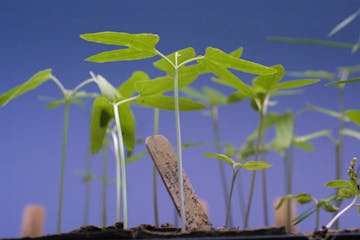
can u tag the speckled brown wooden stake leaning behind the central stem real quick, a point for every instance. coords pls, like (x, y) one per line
(167, 165)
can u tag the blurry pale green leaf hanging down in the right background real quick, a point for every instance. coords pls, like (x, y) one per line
(284, 125)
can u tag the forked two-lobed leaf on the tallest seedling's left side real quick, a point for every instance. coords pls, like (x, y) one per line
(137, 46)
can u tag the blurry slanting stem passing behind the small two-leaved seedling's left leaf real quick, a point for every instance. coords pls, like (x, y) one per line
(215, 121)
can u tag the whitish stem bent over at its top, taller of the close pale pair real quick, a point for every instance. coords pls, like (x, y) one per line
(122, 162)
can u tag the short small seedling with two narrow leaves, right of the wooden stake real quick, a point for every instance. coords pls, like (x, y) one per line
(236, 166)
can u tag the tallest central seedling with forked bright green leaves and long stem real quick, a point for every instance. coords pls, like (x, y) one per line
(181, 67)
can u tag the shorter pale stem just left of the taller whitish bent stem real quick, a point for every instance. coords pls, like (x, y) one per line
(118, 176)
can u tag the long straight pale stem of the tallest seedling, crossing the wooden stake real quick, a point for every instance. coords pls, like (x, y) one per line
(179, 145)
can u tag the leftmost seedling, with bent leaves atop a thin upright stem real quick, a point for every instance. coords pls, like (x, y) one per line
(69, 96)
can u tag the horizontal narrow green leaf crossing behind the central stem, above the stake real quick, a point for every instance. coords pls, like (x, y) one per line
(168, 103)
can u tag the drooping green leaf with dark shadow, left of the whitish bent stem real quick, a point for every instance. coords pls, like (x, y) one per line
(101, 117)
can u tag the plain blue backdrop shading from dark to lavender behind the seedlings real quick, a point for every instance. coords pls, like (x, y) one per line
(39, 34)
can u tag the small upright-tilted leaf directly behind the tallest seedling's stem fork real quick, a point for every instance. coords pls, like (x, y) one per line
(183, 55)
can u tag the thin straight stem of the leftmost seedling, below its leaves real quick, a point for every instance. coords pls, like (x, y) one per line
(63, 160)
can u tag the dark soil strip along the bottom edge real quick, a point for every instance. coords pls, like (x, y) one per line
(168, 231)
